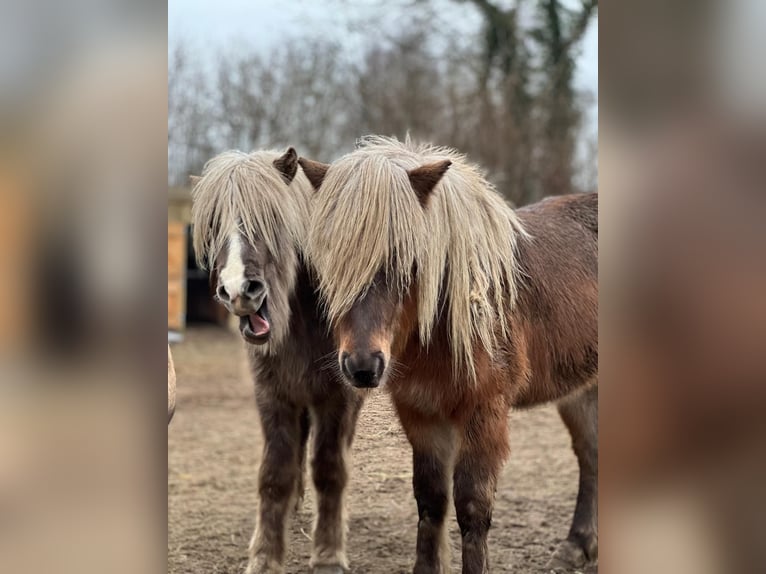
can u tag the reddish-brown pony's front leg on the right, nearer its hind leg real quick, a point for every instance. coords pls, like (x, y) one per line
(485, 446)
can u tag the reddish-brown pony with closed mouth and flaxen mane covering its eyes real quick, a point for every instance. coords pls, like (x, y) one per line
(464, 309)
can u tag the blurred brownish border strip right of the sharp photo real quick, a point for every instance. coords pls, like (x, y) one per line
(682, 277)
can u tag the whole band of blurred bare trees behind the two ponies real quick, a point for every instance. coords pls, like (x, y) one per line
(508, 100)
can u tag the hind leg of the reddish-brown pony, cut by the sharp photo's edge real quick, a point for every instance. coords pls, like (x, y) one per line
(580, 414)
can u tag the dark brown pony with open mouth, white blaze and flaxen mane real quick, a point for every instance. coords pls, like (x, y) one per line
(250, 215)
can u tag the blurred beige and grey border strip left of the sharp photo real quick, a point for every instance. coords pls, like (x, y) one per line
(83, 116)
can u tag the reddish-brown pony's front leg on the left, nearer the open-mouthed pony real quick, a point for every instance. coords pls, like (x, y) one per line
(433, 447)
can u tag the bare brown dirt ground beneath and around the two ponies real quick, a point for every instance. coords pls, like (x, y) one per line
(214, 446)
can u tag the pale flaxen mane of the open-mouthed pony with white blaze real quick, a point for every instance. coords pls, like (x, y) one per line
(246, 190)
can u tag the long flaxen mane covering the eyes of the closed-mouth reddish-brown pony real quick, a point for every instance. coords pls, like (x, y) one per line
(367, 218)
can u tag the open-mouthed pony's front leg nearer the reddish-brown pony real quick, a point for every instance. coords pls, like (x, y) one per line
(334, 425)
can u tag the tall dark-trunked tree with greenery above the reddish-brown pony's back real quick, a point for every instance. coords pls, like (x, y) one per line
(529, 134)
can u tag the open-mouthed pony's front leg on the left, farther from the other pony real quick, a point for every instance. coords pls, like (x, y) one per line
(279, 474)
